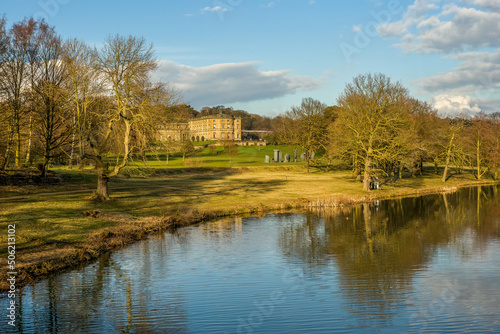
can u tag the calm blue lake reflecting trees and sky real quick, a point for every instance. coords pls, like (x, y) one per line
(423, 264)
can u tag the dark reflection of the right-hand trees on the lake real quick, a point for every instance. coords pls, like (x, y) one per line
(381, 248)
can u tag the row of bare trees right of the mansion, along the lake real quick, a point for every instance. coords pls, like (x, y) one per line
(378, 129)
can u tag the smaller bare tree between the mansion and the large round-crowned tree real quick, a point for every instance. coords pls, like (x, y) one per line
(307, 128)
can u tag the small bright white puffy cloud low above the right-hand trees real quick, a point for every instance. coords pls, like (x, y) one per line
(454, 105)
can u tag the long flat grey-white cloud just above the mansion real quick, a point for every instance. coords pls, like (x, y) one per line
(232, 82)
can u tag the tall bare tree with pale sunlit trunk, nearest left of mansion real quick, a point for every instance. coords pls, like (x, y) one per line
(125, 65)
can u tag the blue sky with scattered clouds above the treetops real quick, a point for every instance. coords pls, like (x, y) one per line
(265, 56)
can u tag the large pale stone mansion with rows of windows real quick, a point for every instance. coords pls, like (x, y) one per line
(214, 127)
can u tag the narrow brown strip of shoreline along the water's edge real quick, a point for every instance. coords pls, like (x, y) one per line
(59, 257)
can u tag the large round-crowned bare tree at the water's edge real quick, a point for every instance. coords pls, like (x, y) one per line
(375, 120)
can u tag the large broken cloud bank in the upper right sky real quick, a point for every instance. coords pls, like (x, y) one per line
(467, 31)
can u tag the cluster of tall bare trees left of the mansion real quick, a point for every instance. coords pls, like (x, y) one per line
(64, 98)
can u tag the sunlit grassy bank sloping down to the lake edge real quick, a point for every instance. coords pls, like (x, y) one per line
(64, 228)
